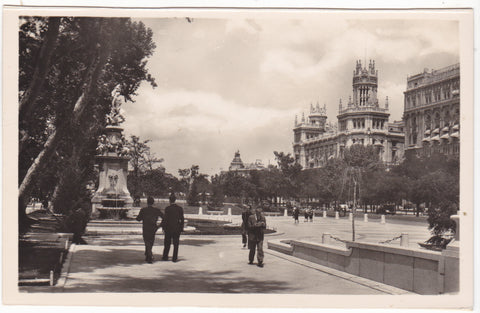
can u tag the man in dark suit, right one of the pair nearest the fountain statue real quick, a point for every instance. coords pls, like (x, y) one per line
(173, 223)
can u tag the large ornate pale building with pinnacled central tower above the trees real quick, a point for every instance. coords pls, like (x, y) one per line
(361, 121)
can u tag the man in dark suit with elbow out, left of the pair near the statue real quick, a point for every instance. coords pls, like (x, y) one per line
(149, 216)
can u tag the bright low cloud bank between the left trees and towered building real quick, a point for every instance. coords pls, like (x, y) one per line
(187, 127)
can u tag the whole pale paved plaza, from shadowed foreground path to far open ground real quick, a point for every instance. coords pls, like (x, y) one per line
(218, 264)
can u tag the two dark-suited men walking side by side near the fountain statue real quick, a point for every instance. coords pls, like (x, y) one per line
(172, 223)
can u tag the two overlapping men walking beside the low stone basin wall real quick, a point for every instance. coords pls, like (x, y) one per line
(254, 224)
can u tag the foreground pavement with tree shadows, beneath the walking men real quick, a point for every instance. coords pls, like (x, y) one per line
(207, 264)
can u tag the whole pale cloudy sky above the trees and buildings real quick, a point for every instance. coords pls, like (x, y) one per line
(228, 84)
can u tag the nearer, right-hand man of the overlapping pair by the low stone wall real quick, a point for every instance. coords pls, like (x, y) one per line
(256, 226)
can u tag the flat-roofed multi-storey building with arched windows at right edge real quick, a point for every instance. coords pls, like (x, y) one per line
(432, 112)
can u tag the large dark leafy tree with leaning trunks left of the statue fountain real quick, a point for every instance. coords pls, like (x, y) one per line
(67, 70)
